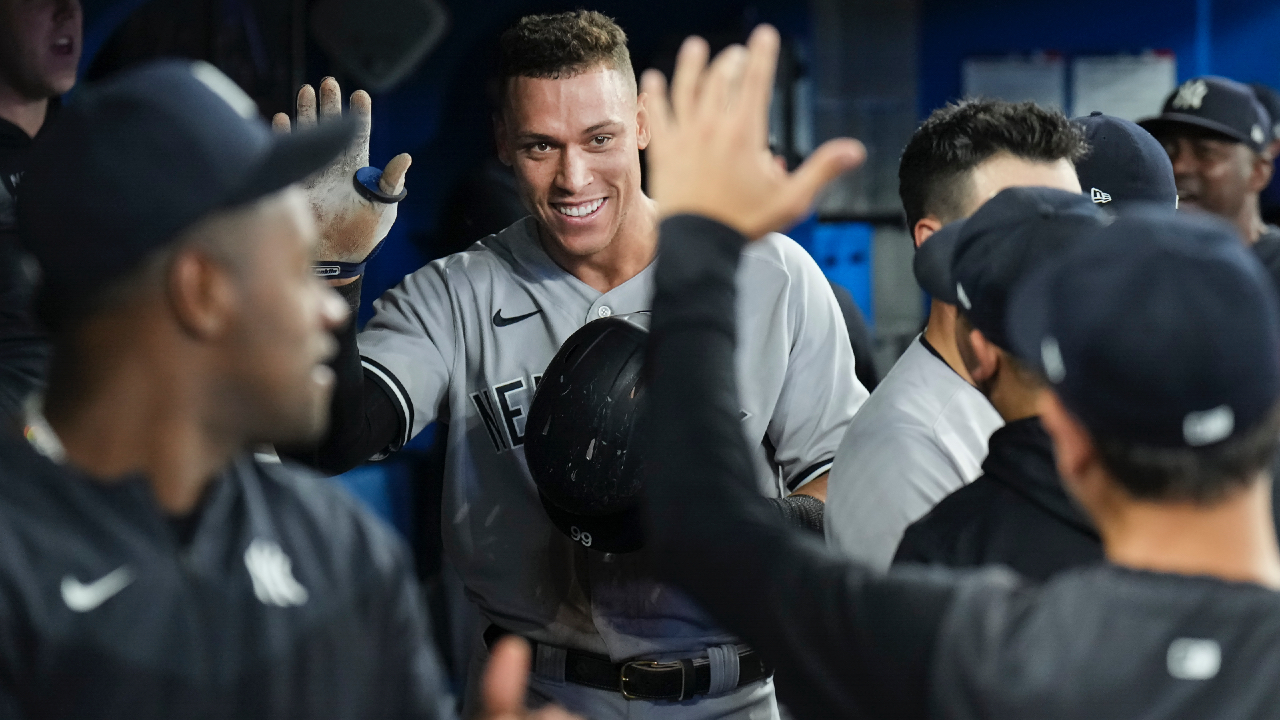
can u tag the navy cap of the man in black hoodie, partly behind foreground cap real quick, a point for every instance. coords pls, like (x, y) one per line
(1013, 233)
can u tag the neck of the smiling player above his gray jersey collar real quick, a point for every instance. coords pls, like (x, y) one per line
(630, 252)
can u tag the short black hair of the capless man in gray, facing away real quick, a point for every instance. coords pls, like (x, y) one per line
(934, 175)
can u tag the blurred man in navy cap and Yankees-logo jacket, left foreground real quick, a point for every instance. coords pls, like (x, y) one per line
(150, 567)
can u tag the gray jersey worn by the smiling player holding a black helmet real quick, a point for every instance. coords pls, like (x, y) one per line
(465, 341)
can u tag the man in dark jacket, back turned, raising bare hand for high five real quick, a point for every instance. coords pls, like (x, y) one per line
(1159, 336)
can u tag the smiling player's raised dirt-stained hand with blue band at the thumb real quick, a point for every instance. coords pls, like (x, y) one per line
(350, 225)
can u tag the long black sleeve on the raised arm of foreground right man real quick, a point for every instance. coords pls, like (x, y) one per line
(838, 636)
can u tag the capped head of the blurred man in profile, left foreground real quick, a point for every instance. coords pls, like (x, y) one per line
(173, 248)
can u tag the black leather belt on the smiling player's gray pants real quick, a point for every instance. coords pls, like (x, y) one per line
(647, 680)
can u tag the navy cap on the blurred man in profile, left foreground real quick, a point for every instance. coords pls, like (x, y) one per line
(138, 160)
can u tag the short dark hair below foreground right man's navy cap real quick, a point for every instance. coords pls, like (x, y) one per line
(1192, 475)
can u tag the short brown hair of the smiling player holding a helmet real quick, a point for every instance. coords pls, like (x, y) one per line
(563, 45)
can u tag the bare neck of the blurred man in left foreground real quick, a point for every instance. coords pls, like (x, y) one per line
(141, 412)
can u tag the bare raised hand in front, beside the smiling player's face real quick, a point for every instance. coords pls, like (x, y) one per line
(710, 151)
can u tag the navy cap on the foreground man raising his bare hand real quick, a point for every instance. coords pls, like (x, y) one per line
(1160, 330)
